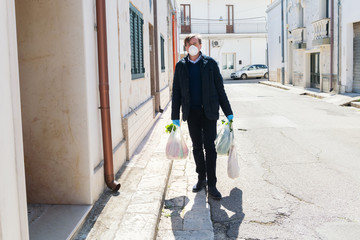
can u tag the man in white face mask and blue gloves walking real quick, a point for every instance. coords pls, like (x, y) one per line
(198, 88)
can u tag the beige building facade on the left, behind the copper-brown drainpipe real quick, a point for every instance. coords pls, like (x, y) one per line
(52, 127)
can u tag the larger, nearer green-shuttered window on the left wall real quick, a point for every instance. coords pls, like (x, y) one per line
(136, 39)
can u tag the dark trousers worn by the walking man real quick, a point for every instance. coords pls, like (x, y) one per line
(203, 133)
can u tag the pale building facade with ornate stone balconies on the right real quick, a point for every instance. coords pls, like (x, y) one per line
(320, 44)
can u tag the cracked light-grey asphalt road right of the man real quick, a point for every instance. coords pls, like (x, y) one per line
(299, 168)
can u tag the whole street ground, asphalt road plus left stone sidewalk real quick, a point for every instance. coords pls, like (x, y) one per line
(299, 176)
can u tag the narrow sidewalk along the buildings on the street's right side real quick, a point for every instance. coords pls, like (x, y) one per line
(347, 99)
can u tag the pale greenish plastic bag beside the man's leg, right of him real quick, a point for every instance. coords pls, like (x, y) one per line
(224, 139)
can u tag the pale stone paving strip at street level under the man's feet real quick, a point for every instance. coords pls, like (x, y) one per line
(185, 215)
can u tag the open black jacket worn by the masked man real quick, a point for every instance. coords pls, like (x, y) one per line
(213, 92)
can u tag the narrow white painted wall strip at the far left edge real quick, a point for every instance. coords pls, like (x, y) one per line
(13, 209)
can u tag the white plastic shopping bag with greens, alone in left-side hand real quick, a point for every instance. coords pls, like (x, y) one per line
(176, 147)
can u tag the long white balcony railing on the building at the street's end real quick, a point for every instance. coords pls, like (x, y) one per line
(223, 27)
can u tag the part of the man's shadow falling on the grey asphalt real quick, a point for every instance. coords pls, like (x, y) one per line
(227, 215)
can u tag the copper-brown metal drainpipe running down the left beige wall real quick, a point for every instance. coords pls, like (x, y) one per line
(104, 96)
